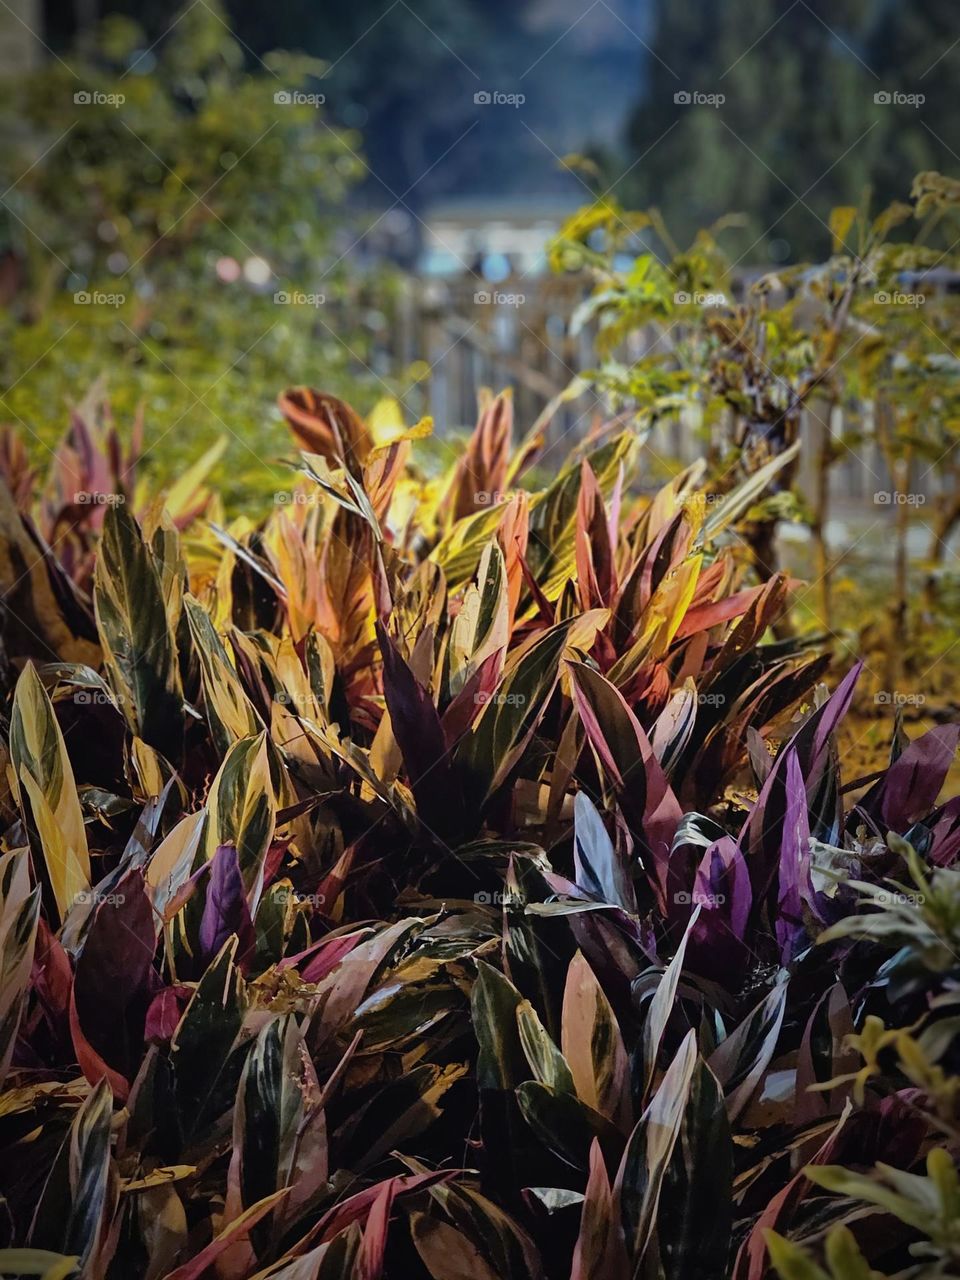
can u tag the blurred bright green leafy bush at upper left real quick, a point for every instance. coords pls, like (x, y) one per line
(158, 200)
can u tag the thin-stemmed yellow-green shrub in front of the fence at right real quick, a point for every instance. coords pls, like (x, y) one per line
(871, 332)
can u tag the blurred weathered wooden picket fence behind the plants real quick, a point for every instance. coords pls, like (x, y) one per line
(465, 335)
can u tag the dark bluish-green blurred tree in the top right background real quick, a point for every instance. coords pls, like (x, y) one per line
(799, 130)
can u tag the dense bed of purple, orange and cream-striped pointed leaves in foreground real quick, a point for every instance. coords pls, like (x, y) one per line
(451, 880)
